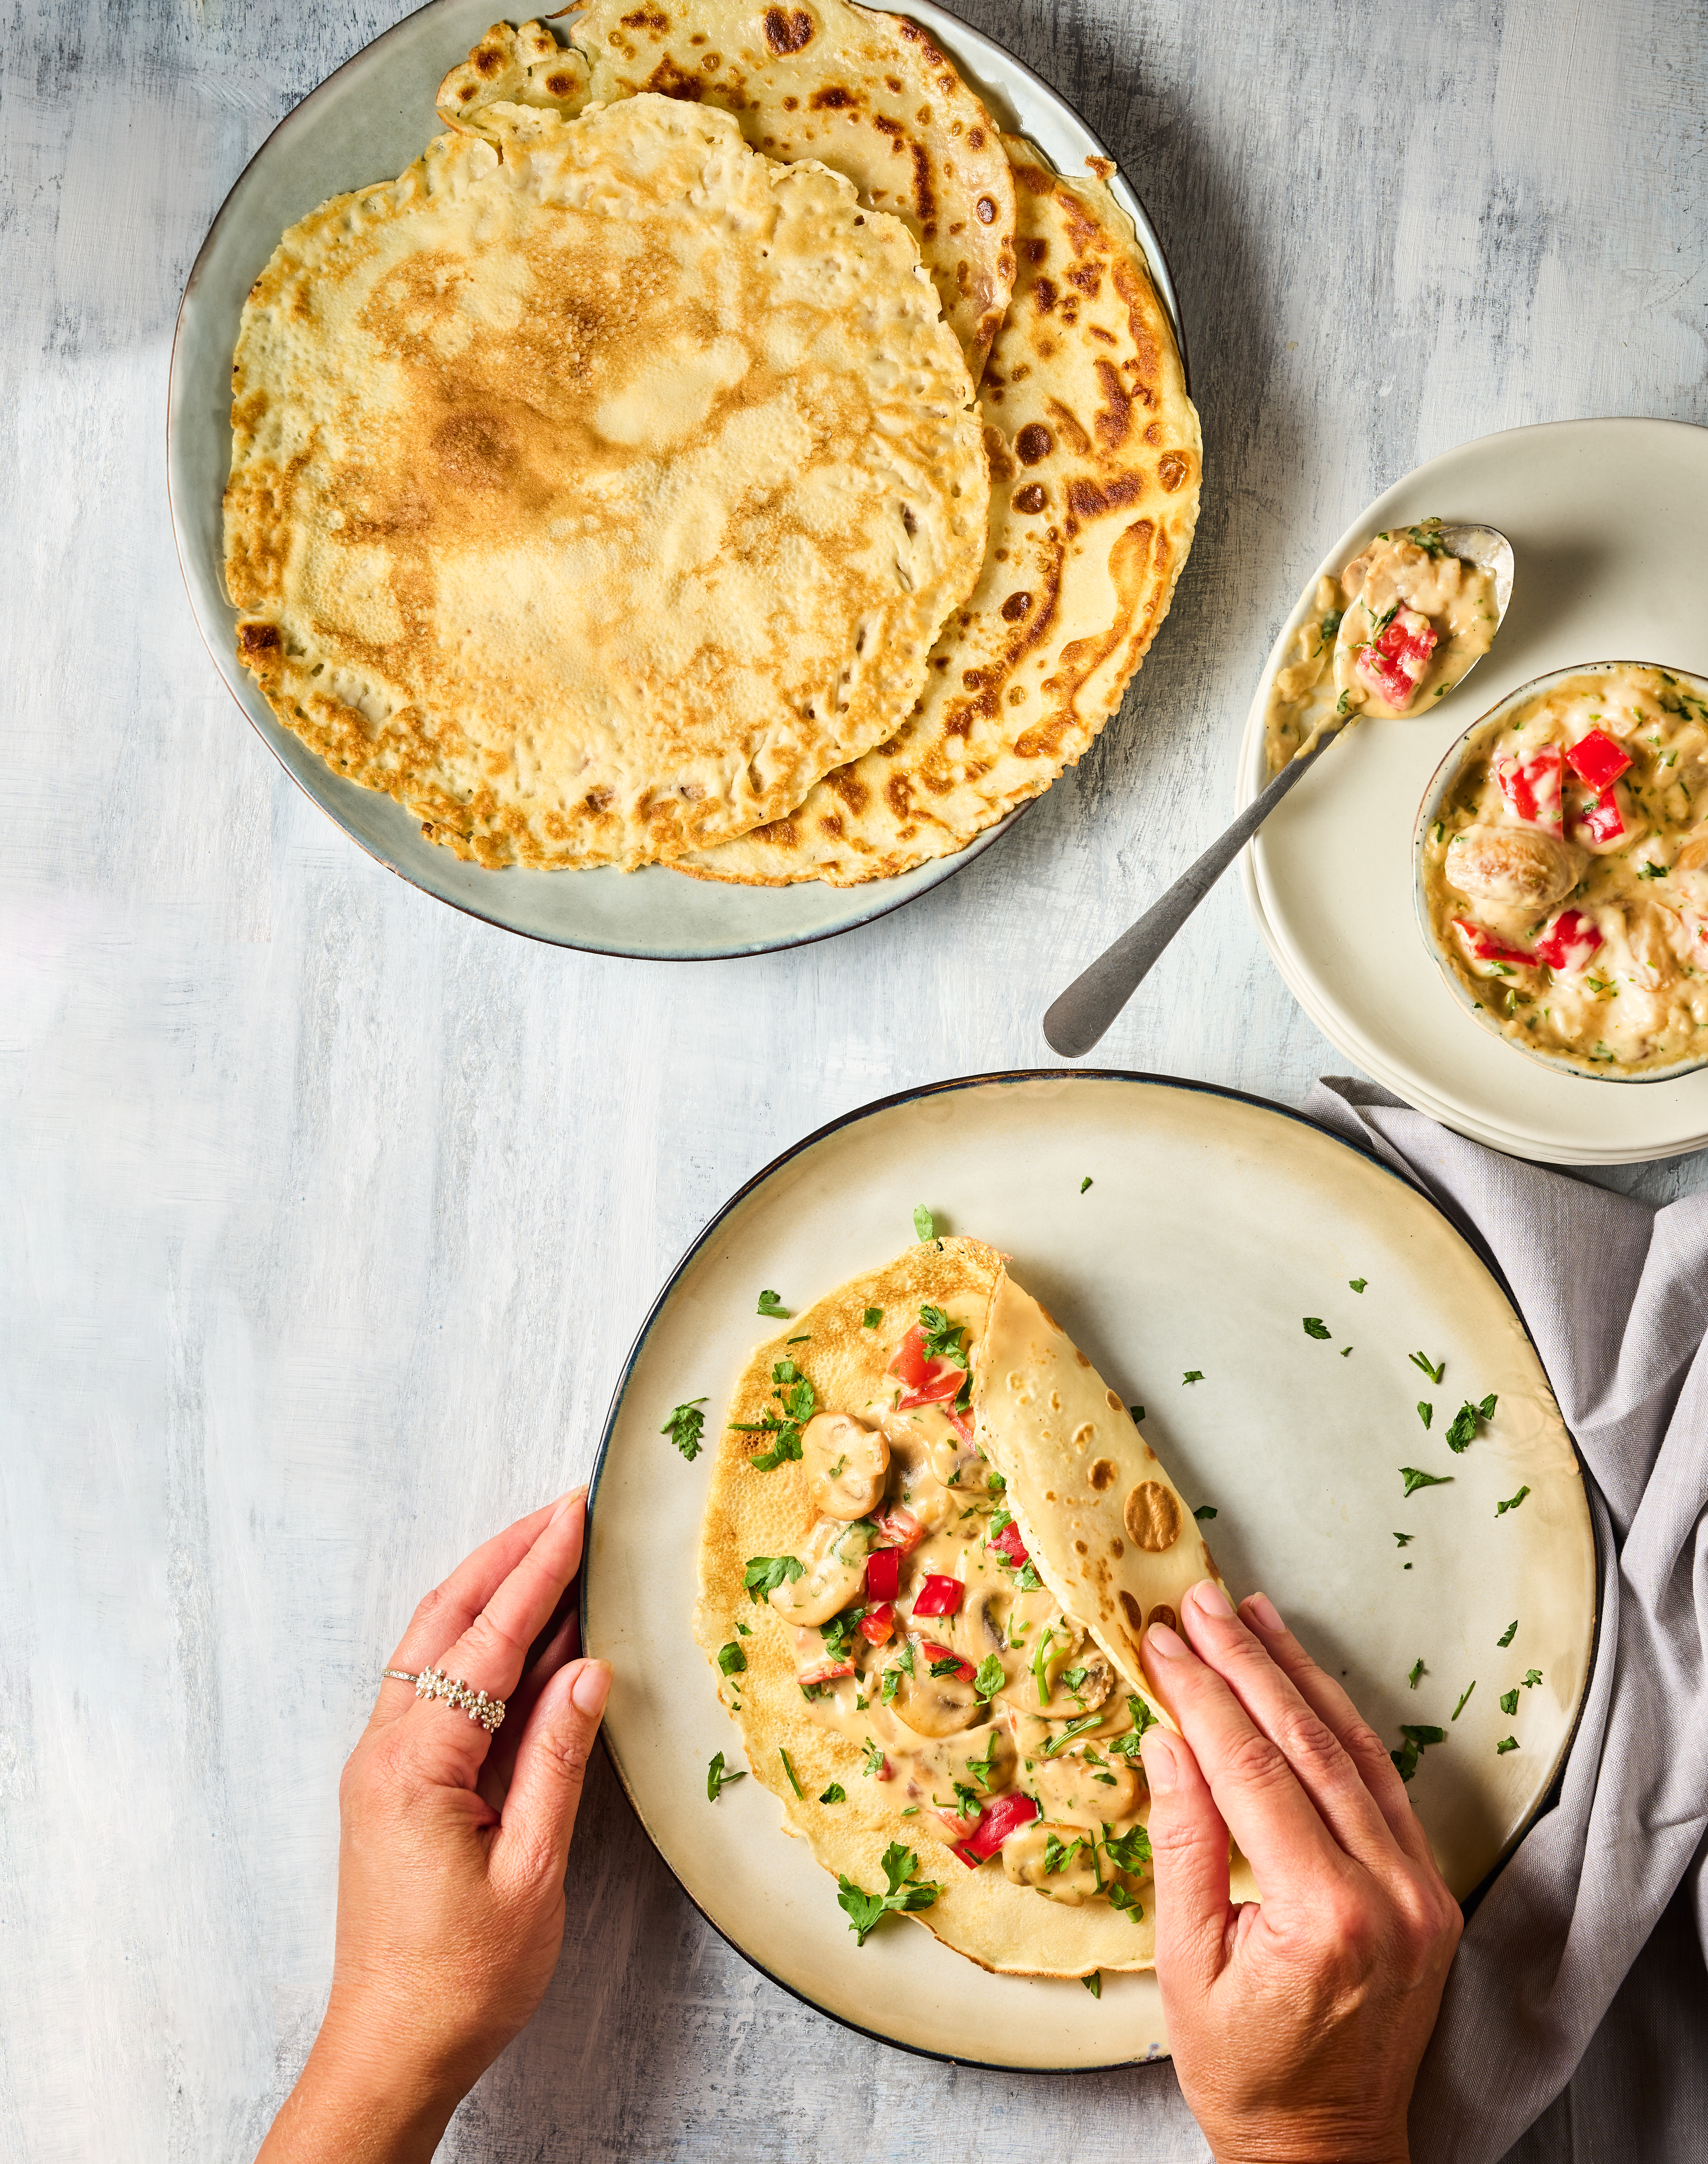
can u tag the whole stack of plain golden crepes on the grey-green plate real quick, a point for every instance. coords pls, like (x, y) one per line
(722, 449)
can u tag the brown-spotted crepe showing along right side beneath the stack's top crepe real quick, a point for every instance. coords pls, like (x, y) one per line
(1096, 462)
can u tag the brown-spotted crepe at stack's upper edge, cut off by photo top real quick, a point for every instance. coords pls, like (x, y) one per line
(869, 94)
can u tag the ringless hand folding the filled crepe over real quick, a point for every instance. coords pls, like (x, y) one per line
(1298, 2022)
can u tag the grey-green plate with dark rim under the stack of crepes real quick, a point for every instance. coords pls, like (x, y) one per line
(371, 120)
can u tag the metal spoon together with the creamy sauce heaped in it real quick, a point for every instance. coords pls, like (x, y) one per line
(1402, 631)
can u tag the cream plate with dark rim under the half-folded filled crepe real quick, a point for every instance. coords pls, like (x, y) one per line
(1213, 1224)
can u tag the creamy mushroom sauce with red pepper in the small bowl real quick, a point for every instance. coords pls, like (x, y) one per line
(1640, 1001)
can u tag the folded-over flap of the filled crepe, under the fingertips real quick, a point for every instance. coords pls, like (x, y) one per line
(1112, 1533)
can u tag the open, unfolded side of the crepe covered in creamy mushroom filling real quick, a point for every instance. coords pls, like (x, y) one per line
(1060, 1726)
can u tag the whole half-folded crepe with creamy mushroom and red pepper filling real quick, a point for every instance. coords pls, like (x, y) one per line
(904, 1661)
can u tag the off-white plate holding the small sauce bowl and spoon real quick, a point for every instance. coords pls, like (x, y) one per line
(1610, 529)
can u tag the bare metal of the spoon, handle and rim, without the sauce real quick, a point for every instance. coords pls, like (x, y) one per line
(1081, 1016)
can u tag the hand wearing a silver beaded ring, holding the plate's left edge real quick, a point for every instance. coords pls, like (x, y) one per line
(454, 1853)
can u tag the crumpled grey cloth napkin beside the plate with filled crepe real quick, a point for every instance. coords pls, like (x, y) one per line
(1616, 1297)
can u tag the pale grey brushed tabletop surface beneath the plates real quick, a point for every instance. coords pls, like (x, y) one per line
(330, 1215)
